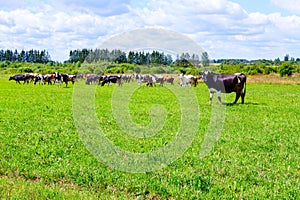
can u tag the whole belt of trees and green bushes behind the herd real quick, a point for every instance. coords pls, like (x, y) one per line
(117, 61)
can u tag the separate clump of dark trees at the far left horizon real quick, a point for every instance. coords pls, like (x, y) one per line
(34, 56)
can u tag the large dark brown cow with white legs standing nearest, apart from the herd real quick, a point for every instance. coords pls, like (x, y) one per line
(225, 83)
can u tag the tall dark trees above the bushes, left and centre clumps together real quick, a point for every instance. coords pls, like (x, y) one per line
(104, 55)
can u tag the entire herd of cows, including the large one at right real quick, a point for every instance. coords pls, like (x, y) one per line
(216, 83)
